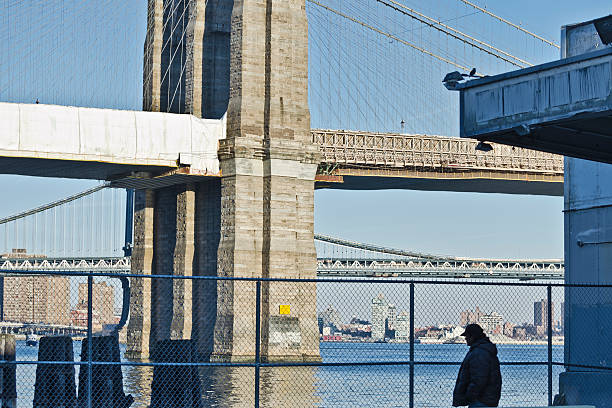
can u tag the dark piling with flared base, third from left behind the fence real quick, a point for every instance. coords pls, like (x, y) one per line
(107, 379)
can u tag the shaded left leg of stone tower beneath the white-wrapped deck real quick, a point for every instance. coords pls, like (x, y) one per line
(164, 244)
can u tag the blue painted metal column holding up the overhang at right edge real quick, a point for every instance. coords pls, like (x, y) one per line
(588, 260)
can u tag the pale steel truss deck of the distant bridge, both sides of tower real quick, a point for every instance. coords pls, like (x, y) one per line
(335, 267)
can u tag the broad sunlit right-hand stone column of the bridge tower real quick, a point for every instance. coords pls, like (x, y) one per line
(268, 163)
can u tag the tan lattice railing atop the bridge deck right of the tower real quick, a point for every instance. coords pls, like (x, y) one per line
(356, 148)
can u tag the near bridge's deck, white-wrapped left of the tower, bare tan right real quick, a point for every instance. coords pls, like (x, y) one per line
(154, 149)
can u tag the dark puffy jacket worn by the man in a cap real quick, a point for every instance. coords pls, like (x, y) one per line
(479, 377)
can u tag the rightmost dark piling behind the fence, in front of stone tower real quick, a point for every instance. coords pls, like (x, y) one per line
(175, 386)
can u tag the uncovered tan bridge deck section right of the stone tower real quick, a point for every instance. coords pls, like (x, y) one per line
(375, 161)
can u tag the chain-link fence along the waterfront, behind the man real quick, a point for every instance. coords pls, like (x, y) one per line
(242, 342)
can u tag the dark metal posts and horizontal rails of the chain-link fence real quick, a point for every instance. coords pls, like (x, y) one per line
(258, 363)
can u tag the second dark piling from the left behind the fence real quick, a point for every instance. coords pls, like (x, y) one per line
(55, 386)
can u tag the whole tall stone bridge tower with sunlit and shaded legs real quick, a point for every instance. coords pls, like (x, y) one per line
(248, 58)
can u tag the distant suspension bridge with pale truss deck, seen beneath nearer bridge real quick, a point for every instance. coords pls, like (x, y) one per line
(54, 236)
